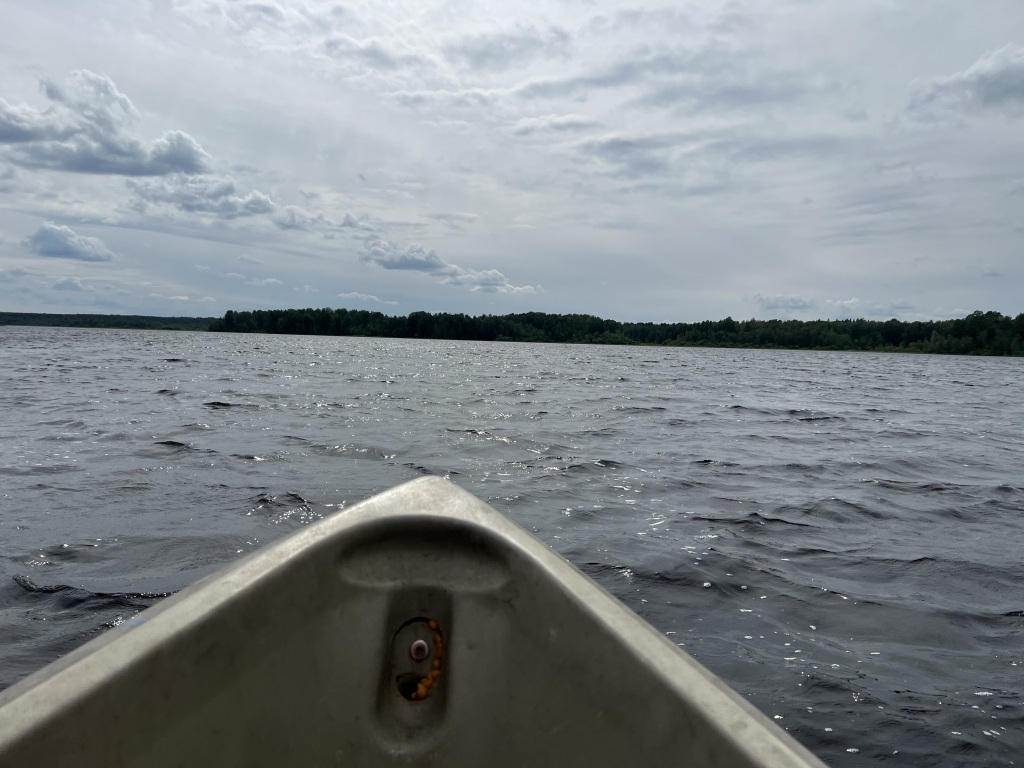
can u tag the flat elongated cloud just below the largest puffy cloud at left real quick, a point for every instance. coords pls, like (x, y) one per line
(211, 195)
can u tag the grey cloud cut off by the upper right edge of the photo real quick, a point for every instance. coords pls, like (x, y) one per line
(994, 82)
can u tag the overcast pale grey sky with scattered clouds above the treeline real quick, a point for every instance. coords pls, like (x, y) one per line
(649, 162)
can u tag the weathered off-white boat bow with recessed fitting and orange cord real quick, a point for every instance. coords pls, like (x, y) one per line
(419, 628)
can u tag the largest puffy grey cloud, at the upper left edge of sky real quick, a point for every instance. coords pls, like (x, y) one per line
(87, 130)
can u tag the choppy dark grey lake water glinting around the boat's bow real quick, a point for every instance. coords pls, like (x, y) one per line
(839, 536)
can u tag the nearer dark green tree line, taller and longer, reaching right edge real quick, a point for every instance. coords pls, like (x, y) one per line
(979, 333)
